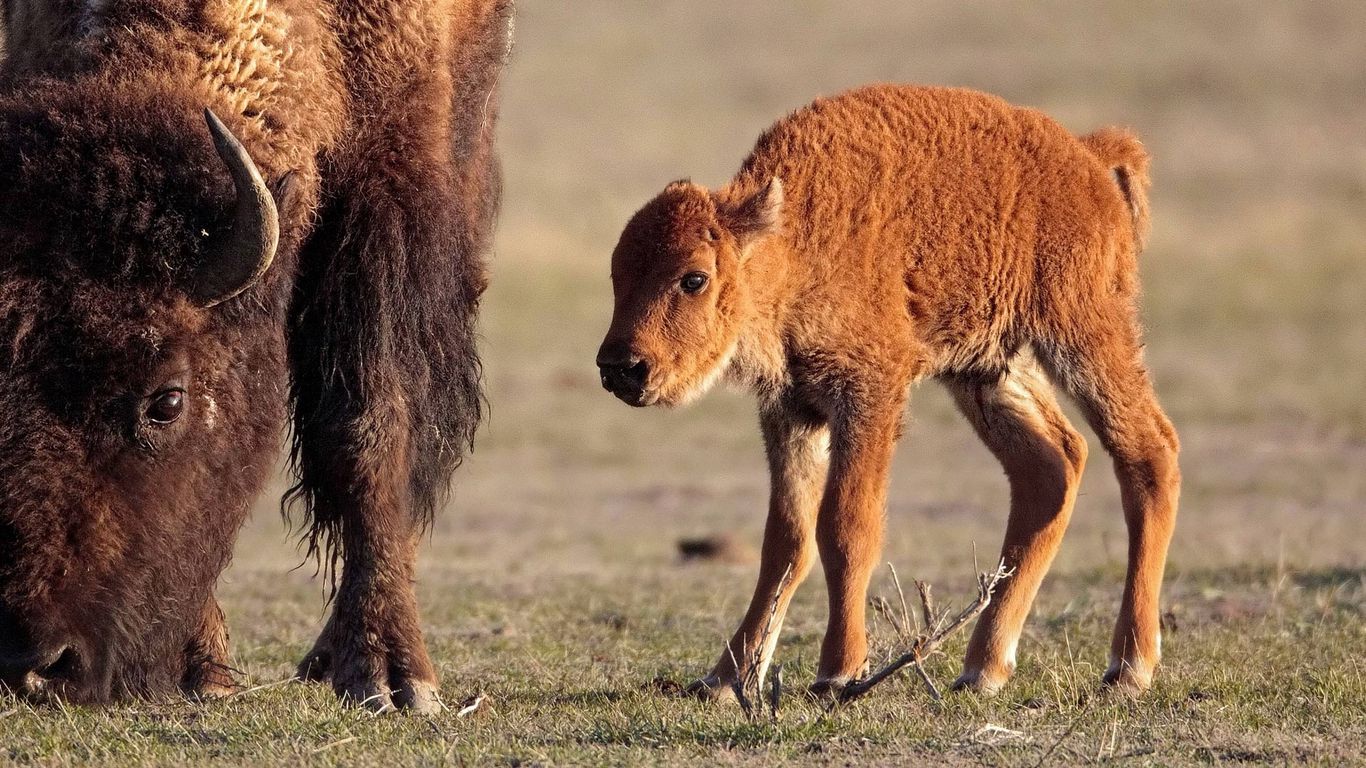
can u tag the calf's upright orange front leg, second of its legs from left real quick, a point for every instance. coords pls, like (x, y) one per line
(849, 530)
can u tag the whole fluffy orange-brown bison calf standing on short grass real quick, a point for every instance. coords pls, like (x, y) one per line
(879, 238)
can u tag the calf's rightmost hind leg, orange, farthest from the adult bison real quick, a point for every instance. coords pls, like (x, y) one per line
(1103, 370)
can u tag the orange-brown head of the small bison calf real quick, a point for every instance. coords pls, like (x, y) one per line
(682, 290)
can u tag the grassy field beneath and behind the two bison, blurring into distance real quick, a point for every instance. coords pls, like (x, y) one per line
(553, 583)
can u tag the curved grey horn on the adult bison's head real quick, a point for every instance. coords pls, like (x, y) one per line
(241, 258)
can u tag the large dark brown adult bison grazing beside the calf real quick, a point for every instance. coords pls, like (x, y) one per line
(212, 212)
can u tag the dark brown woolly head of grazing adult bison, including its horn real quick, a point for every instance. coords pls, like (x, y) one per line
(140, 408)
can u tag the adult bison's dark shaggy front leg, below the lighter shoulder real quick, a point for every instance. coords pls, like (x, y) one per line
(387, 397)
